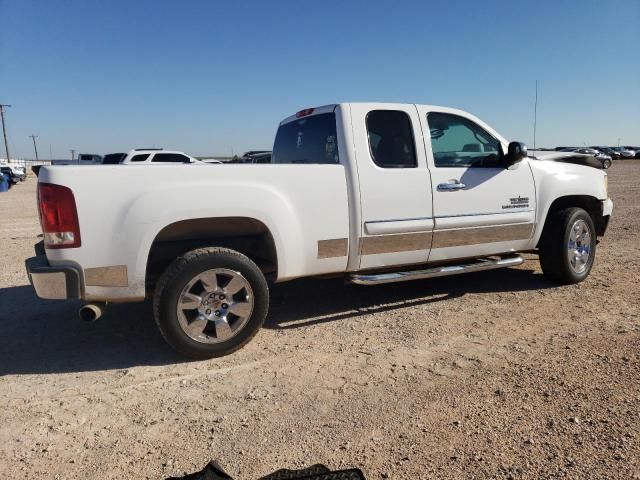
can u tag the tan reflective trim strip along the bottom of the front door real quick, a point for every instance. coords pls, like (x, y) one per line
(474, 236)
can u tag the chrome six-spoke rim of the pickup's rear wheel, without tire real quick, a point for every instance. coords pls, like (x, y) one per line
(215, 305)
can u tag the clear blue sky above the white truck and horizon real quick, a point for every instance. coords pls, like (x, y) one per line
(207, 77)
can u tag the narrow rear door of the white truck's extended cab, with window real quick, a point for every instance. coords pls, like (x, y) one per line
(395, 186)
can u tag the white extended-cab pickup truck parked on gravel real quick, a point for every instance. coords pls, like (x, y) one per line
(378, 193)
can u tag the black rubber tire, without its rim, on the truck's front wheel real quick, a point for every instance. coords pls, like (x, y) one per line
(553, 250)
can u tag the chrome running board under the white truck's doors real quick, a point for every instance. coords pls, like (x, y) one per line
(441, 271)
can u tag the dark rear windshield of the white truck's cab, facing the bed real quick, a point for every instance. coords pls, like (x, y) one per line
(307, 140)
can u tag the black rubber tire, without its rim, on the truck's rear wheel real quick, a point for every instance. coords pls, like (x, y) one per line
(180, 273)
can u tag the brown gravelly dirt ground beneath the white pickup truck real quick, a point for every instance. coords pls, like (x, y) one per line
(490, 375)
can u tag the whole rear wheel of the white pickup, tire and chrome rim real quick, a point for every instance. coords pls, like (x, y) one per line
(210, 302)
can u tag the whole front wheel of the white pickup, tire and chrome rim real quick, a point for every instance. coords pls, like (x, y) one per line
(568, 246)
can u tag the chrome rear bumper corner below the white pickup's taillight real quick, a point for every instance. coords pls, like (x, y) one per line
(52, 283)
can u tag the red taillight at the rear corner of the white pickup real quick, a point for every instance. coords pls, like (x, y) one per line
(58, 216)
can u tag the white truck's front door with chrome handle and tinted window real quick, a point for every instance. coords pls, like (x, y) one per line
(479, 206)
